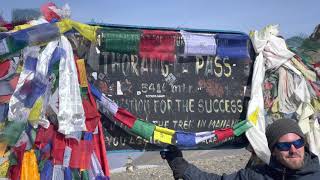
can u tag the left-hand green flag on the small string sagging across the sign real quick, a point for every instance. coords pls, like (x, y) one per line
(143, 128)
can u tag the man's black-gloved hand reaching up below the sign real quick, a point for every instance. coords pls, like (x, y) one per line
(178, 165)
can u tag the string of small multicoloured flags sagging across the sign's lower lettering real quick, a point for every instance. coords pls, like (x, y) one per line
(145, 129)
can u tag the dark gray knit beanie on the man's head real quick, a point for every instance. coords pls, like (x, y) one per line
(280, 128)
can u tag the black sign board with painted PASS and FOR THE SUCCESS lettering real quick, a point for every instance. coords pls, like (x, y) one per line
(193, 93)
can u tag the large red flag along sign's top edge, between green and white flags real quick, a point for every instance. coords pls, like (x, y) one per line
(156, 44)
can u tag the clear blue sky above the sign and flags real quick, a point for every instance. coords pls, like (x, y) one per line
(294, 16)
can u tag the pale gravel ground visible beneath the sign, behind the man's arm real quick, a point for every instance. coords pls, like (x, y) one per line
(218, 162)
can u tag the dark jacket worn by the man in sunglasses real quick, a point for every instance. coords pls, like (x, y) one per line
(310, 171)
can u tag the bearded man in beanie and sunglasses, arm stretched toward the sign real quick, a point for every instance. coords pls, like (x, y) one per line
(291, 158)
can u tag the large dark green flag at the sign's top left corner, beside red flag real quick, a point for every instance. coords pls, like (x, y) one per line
(120, 40)
